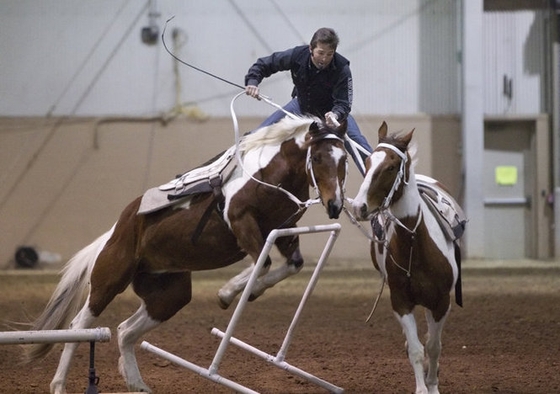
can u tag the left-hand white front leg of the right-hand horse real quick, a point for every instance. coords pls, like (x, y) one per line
(414, 349)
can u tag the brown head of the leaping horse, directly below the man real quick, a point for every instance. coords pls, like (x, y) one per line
(327, 165)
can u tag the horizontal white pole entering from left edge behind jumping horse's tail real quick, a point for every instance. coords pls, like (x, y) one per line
(100, 334)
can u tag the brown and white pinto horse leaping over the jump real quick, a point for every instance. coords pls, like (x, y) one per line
(156, 252)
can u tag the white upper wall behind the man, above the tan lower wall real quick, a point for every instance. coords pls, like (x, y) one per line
(87, 58)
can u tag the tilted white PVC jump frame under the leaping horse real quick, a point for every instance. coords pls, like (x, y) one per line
(227, 337)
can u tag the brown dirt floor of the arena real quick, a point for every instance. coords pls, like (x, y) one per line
(506, 339)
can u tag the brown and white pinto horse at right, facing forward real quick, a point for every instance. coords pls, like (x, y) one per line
(410, 248)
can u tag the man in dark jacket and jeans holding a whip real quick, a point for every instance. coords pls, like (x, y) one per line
(322, 84)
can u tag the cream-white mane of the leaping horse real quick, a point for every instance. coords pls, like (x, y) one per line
(276, 133)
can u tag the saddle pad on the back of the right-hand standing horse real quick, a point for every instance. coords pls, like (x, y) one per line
(447, 211)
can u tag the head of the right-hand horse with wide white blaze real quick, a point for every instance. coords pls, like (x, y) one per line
(388, 170)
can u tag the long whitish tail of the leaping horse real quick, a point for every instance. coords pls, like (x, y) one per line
(69, 295)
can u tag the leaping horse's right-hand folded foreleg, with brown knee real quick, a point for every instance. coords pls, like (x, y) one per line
(289, 248)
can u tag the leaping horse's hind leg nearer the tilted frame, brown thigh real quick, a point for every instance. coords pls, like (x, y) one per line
(163, 296)
